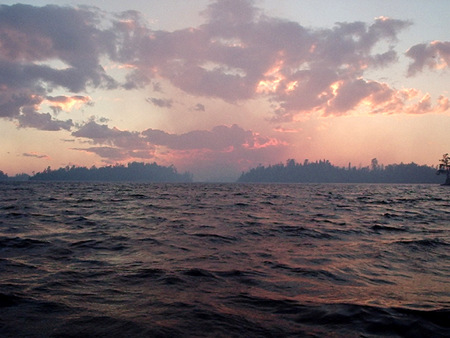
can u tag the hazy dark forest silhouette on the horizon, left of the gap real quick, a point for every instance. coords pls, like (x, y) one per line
(133, 172)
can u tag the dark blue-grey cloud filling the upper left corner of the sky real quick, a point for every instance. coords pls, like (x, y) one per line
(37, 34)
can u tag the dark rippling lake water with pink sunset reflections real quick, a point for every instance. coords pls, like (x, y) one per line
(146, 260)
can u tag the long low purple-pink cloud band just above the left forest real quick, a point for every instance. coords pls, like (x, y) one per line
(231, 147)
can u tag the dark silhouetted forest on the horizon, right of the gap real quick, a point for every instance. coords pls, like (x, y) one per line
(324, 172)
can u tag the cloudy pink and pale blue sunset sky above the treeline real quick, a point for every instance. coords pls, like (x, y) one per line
(218, 87)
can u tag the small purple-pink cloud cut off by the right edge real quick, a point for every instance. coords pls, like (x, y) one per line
(435, 55)
